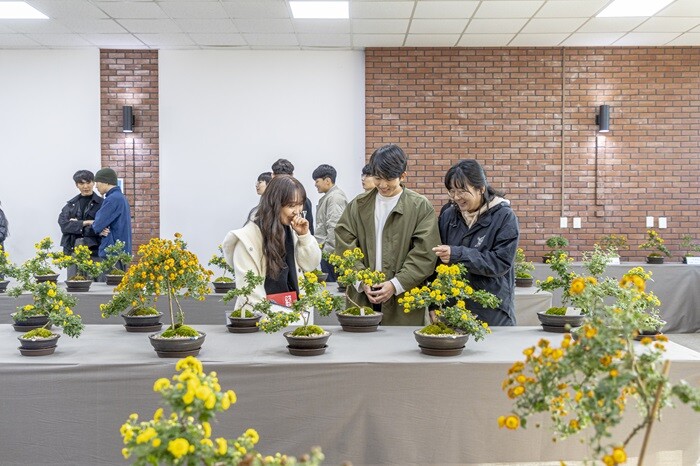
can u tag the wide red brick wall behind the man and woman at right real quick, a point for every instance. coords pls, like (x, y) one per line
(528, 115)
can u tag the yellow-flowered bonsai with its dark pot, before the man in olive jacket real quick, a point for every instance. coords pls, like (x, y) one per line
(355, 317)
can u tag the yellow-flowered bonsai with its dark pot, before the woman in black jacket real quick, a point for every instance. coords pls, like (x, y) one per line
(448, 295)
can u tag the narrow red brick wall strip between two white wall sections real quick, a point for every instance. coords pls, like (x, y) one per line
(130, 77)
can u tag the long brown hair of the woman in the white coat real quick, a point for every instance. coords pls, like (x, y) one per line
(281, 191)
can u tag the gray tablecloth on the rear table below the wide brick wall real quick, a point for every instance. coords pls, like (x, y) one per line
(677, 286)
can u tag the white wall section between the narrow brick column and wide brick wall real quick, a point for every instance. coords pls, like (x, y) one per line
(226, 116)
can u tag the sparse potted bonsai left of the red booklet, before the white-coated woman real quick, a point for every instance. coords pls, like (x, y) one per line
(245, 318)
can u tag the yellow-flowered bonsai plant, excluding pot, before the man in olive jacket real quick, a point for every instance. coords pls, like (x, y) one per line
(349, 271)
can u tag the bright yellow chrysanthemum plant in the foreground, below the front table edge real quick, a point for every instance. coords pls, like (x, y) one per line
(184, 437)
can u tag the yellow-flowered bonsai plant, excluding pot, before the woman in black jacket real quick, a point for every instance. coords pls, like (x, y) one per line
(449, 294)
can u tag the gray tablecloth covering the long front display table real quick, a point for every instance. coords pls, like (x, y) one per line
(371, 399)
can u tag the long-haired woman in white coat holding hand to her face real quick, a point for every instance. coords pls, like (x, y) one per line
(277, 245)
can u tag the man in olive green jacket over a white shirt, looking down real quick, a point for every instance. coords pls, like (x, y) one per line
(408, 231)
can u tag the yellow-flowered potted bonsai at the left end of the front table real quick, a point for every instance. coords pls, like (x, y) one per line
(51, 306)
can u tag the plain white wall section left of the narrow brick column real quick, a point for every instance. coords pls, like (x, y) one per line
(49, 129)
